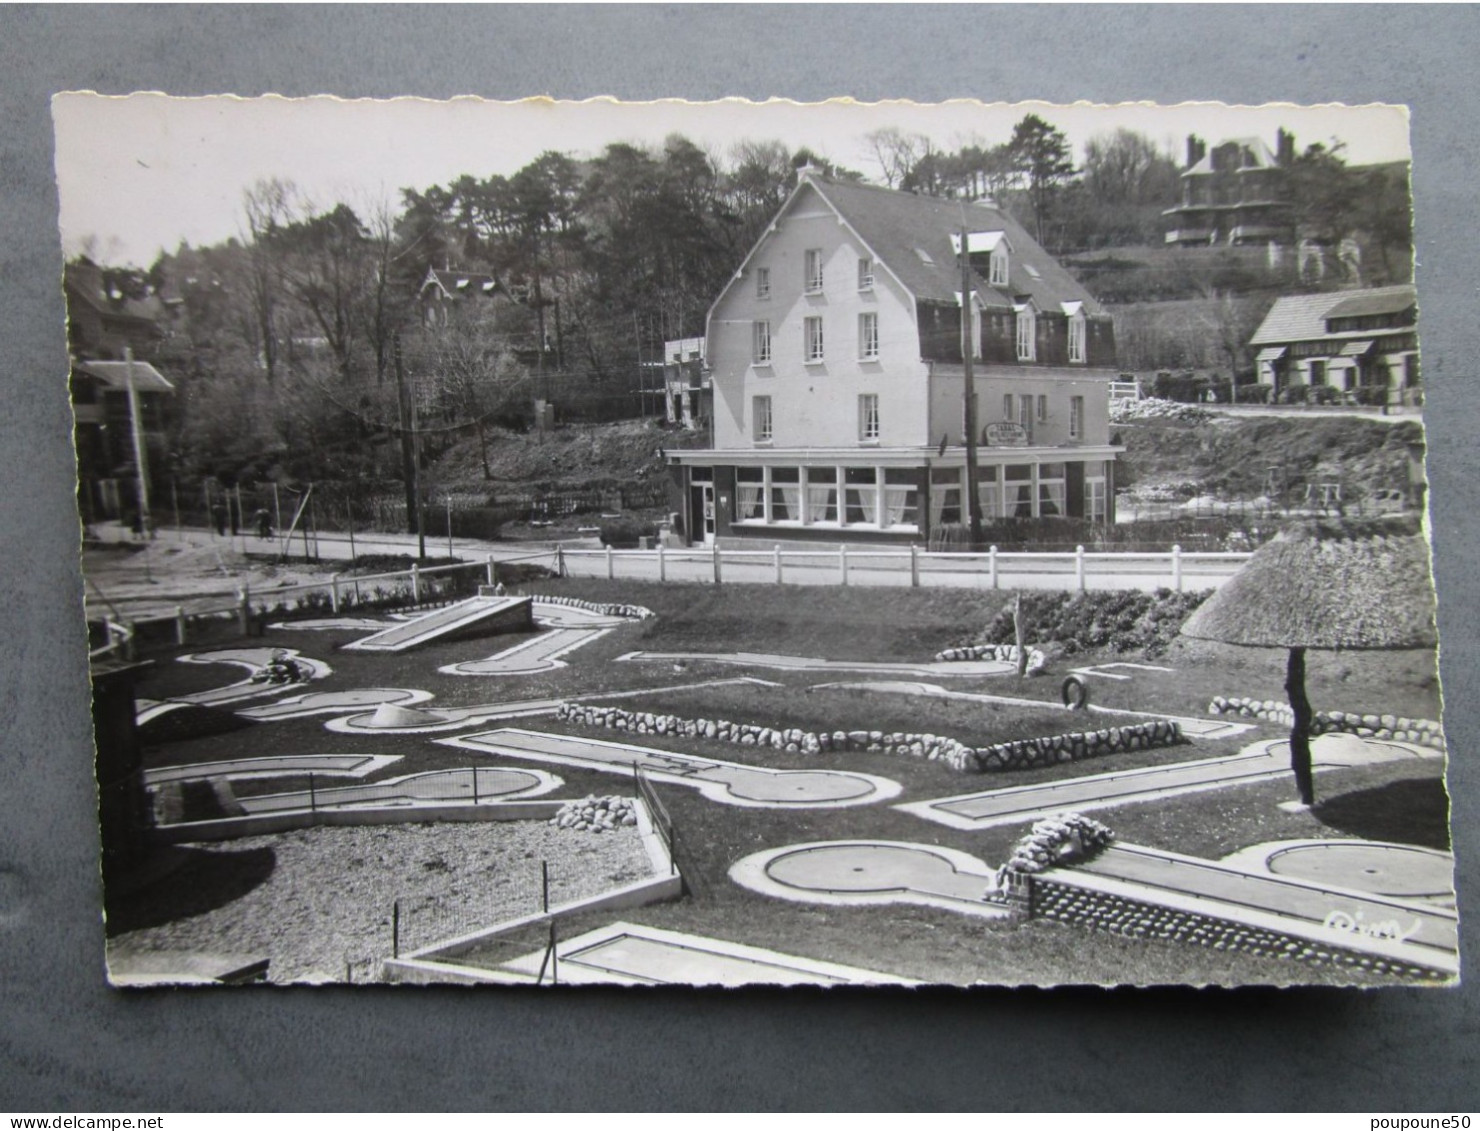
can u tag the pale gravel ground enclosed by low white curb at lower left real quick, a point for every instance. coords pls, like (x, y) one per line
(329, 898)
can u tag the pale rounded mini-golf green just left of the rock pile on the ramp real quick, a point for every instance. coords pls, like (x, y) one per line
(871, 874)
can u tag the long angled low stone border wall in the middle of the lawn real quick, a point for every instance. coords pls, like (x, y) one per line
(1020, 754)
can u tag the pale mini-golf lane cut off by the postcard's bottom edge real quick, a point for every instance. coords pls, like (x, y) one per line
(633, 956)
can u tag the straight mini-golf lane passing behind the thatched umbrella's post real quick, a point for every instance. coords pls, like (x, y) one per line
(1260, 763)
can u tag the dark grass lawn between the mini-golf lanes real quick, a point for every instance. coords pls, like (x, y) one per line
(1401, 802)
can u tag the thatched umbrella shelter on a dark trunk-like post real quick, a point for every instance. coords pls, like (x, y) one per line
(1325, 585)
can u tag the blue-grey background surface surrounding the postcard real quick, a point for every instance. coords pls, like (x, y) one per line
(70, 1044)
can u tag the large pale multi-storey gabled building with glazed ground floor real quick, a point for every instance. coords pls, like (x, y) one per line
(838, 381)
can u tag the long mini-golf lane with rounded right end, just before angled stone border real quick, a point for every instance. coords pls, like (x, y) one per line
(729, 784)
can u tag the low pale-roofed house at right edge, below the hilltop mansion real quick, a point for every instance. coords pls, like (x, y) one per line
(1352, 341)
